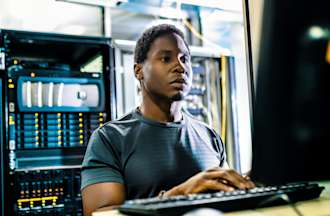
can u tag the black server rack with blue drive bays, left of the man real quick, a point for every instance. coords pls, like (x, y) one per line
(55, 90)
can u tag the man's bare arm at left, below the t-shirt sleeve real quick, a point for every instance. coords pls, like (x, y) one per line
(100, 195)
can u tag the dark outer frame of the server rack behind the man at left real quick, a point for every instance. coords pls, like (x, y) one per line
(110, 94)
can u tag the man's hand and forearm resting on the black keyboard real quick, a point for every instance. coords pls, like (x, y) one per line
(217, 179)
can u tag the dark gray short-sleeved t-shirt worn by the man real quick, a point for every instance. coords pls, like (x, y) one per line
(148, 156)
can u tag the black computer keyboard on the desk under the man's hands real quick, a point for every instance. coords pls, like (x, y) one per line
(224, 201)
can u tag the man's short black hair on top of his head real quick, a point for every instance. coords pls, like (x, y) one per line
(148, 36)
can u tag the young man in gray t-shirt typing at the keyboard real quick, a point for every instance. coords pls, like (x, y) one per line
(157, 148)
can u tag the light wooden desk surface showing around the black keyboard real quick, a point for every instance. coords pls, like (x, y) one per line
(315, 207)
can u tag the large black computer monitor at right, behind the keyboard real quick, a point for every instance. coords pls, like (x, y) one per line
(291, 119)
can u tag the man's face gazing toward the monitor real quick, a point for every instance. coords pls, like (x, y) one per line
(167, 72)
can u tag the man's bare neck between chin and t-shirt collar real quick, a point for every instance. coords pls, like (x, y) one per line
(162, 112)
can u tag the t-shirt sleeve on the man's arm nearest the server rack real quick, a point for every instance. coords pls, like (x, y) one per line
(101, 161)
